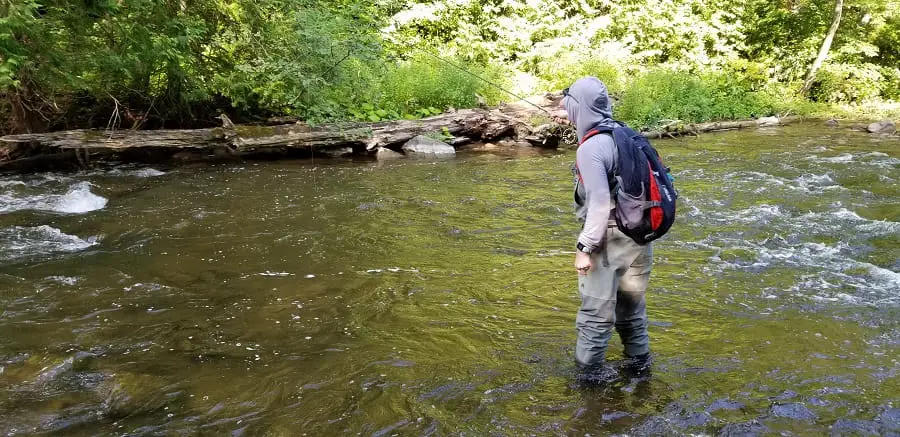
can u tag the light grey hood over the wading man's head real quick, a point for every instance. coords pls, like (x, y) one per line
(588, 105)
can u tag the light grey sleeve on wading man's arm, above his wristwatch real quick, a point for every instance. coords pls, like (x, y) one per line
(594, 158)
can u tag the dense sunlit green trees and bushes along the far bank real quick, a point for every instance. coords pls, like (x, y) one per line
(168, 63)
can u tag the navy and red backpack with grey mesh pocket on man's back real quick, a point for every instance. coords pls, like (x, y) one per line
(643, 187)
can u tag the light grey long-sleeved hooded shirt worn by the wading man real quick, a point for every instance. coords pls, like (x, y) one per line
(588, 107)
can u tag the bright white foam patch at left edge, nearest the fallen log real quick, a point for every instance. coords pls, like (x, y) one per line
(78, 200)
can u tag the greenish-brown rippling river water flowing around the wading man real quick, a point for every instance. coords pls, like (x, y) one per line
(419, 298)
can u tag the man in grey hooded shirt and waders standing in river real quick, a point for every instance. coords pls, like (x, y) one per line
(613, 269)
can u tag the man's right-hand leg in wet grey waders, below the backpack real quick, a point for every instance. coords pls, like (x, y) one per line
(631, 310)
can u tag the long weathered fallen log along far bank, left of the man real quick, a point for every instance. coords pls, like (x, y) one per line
(246, 140)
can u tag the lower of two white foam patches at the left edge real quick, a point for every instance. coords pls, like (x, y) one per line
(22, 242)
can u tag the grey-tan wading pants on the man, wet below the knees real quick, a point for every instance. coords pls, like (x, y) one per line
(612, 295)
